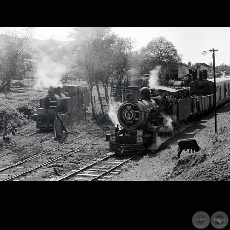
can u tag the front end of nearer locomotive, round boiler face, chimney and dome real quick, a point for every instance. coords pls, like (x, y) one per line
(139, 120)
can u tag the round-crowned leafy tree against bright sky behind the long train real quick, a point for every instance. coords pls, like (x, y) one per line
(159, 52)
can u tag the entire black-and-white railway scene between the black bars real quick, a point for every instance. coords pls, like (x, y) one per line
(114, 104)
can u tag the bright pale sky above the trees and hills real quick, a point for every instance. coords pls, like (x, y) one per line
(190, 42)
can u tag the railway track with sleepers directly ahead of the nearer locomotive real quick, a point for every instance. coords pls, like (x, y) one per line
(98, 170)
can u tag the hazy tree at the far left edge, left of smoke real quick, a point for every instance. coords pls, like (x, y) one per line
(12, 58)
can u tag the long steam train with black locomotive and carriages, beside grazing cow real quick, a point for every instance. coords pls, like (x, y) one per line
(151, 116)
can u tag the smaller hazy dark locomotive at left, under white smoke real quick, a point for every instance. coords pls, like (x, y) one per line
(61, 105)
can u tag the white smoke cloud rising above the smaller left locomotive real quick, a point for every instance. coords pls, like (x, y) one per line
(48, 73)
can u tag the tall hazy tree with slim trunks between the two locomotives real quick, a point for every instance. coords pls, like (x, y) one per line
(101, 55)
